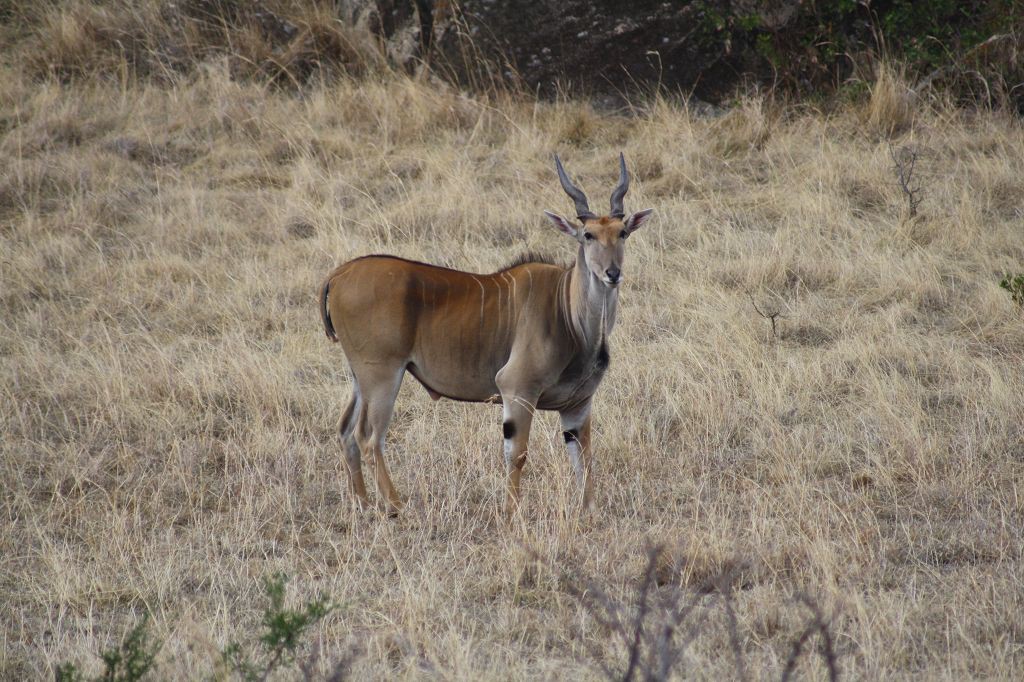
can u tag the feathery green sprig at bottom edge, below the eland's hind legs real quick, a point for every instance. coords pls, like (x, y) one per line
(283, 632)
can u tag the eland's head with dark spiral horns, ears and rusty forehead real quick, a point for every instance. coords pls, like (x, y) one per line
(603, 239)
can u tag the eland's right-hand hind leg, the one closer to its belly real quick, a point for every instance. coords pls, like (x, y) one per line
(378, 391)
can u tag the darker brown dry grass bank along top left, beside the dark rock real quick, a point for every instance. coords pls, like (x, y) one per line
(286, 42)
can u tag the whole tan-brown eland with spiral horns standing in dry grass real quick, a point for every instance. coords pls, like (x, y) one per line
(533, 336)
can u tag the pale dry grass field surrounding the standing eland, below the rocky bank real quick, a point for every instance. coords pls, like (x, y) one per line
(169, 399)
